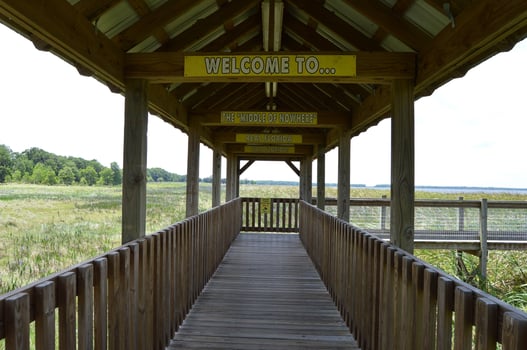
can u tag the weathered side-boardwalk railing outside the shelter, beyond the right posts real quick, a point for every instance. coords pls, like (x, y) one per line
(449, 224)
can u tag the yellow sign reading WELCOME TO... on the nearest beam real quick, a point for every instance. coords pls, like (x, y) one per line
(268, 65)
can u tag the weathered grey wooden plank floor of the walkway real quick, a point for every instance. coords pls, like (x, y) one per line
(266, 294)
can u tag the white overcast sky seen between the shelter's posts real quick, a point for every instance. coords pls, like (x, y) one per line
(470, 132)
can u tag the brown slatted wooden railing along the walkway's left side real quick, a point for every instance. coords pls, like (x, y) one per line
(134, 297)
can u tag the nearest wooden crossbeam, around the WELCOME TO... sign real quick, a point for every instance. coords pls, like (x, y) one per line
(372, 67)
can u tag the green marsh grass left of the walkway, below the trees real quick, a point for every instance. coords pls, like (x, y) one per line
(44, 229)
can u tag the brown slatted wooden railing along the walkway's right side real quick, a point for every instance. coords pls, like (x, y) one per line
(392, 300)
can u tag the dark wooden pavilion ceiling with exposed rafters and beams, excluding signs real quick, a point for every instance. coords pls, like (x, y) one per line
(428, 41)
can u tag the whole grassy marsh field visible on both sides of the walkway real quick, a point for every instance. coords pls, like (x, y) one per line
(44, 229)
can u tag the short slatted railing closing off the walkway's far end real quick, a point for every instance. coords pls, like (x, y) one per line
(270, 214)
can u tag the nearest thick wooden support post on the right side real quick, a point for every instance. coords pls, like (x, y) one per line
(402, 186)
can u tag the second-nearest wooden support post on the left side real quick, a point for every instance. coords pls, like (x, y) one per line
(193, 169)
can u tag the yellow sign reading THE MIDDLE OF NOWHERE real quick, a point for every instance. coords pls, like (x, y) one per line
(269, 118)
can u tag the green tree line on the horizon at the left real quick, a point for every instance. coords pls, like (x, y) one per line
(37, 166)
